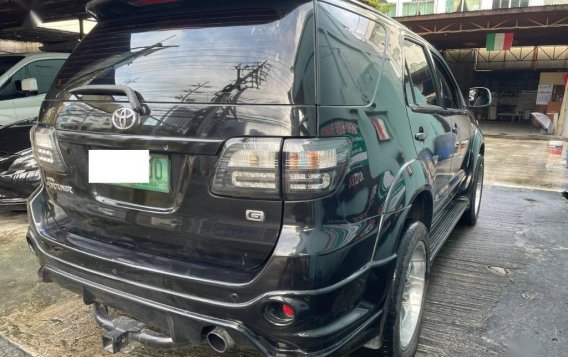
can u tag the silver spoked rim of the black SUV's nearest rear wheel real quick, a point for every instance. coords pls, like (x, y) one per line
(412, 296)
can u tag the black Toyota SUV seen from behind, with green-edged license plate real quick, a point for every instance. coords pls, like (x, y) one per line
(307, 159)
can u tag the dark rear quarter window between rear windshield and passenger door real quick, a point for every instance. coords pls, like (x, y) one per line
(351, 54)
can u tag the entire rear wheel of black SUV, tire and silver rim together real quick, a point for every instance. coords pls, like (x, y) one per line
(407, 296)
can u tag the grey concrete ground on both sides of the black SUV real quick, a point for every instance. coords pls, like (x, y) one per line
(495, 289)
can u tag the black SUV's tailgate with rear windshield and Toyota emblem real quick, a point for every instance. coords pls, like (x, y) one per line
(203, 76)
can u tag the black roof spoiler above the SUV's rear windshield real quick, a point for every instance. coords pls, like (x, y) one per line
(110, 9)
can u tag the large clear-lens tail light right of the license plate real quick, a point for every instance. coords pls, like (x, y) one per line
(251, 167)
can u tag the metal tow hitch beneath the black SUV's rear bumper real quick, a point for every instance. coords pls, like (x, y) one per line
(121, 330)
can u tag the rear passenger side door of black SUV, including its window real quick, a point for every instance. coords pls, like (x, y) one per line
(431, 124)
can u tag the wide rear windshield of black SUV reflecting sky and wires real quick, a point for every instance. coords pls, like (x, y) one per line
(237, 56)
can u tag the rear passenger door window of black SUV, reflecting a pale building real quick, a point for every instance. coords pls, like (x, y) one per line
(421, 81)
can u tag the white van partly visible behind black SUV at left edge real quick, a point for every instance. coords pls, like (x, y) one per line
(24, 80)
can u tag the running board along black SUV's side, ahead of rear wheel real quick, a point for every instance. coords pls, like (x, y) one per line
(444, 225)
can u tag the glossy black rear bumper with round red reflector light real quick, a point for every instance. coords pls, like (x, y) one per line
(331, 321)
